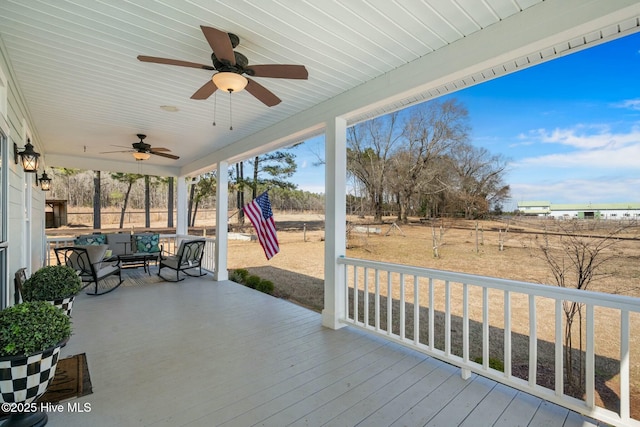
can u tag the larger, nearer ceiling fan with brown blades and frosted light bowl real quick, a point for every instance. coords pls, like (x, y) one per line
(231, 65)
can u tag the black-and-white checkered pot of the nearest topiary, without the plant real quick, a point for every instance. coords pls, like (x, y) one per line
(23, 379)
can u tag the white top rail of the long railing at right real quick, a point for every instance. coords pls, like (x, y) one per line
(554, 292)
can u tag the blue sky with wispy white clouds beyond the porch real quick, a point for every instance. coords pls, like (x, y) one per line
(569, 127)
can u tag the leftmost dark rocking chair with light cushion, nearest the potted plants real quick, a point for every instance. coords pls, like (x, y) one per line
(91, 268)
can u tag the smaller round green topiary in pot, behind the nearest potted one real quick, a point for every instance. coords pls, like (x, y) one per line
(58, 284)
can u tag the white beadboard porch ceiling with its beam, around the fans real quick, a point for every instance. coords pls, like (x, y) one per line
(85, 91)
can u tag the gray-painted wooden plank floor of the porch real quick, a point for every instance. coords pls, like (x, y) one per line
(202, 353)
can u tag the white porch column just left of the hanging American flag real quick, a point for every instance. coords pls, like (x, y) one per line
(222, 238)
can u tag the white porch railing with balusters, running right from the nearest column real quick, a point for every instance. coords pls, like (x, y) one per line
(460, 318)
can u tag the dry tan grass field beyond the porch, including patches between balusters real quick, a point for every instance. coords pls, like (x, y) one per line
(298, 269)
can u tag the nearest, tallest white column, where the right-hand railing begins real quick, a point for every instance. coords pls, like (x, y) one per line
(335, 222)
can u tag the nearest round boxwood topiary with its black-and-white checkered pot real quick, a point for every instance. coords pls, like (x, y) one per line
(31, 335)
